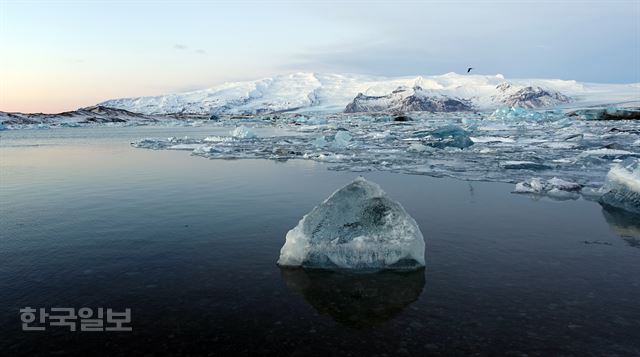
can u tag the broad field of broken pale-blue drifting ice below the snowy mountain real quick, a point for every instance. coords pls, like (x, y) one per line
(432, 144)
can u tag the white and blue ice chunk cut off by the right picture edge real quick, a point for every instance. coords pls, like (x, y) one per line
(622, 186)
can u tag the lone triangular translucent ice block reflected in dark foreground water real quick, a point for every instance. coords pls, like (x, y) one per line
(357, 227)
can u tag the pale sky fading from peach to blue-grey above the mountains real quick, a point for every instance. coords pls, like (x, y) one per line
(62, 55)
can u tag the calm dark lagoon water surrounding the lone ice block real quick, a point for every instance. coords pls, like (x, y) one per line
(190, 246)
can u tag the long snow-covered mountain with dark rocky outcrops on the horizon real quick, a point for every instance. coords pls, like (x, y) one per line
(353, 93)
